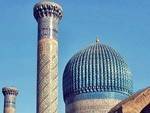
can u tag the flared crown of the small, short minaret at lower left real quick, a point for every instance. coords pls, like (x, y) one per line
(10, 91)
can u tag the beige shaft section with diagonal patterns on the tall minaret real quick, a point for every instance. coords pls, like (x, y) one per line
(47, 76)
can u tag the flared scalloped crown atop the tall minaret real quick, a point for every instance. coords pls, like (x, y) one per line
(46, 8)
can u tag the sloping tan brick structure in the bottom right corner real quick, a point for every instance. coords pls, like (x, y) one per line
(134, 104)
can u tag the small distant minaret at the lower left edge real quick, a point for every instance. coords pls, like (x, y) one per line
(10, 94)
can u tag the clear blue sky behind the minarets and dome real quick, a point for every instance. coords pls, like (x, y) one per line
(121, 24)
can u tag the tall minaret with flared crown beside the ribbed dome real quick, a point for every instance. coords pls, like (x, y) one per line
(48, 14)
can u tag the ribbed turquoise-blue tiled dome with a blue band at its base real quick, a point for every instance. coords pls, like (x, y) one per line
(96, 72)
